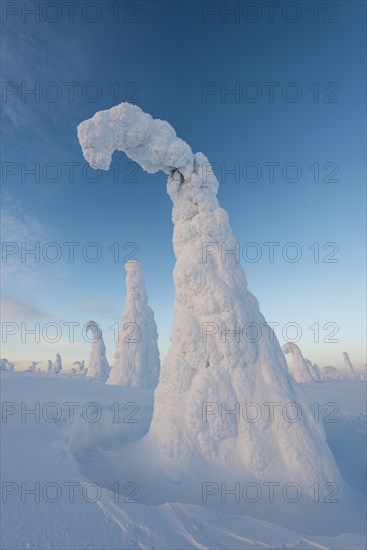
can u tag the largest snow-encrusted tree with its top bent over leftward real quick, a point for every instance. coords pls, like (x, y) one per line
(218, 370)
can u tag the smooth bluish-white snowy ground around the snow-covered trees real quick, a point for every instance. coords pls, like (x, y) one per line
(99, 456)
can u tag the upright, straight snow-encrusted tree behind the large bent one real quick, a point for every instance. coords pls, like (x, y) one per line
(137, 360)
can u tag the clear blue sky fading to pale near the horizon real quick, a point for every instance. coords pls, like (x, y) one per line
(179, 61)
